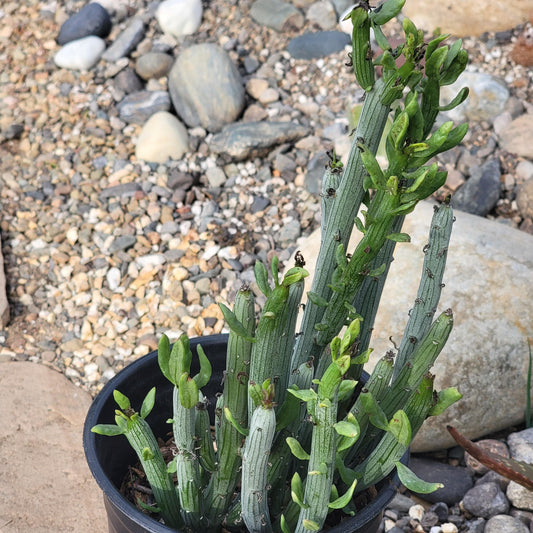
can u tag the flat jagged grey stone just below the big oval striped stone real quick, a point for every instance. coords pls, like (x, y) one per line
(243, 140)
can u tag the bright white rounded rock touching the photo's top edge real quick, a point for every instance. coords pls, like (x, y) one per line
(179, 17)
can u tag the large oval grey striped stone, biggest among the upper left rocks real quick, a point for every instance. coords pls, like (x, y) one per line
(199, 101)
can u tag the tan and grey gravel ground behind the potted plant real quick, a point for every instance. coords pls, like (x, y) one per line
(102, 252)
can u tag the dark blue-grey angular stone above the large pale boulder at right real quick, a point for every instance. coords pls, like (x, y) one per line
(481, 191)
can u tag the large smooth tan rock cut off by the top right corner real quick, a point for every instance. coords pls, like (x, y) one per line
(470, 19)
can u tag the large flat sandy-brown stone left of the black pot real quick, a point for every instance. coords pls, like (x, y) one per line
(41, 424)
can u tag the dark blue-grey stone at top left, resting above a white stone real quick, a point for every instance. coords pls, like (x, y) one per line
(91, 19)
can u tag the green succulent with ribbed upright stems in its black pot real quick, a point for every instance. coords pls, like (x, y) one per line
(297, 432)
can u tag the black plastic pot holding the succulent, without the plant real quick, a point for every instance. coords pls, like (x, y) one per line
(109, 457)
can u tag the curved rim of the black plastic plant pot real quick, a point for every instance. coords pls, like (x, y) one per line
(123, 505)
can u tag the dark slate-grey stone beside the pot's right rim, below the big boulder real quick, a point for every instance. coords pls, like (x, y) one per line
(456, 480)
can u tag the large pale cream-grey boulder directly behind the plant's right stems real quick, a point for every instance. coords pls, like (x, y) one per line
(489, 269)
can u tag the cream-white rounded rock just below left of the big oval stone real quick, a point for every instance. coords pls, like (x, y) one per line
(163, 137)
